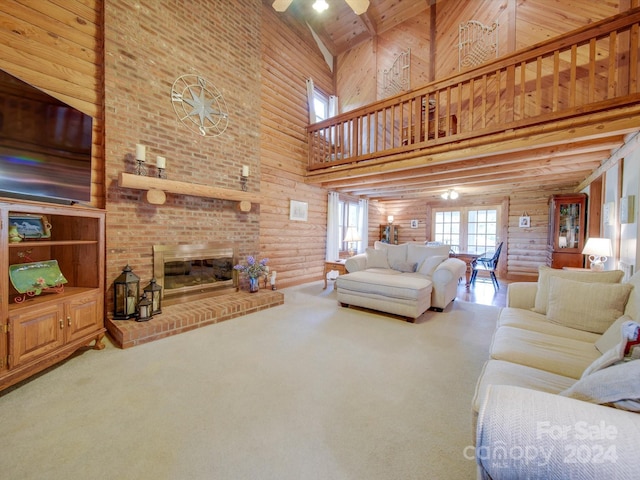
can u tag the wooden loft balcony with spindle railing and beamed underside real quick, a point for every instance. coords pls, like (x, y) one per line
(579, 93)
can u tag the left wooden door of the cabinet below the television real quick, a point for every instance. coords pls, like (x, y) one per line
(35, 332)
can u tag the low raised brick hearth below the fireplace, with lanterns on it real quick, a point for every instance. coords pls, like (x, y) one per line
(188, 316)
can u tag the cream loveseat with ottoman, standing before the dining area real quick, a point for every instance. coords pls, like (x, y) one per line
(404, 280)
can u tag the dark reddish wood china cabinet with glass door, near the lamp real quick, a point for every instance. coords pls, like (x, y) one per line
(567, 215)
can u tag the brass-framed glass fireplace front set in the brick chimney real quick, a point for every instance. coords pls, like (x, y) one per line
(185, 270)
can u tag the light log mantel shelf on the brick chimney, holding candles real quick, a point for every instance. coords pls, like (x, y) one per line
(157, 187)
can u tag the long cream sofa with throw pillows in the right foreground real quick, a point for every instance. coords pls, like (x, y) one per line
(559, 396)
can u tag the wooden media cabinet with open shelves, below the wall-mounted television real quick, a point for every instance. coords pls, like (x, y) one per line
(38, 331)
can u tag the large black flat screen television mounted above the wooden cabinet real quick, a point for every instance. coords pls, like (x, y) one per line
(45, 145)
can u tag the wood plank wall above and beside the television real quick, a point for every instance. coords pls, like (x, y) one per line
(57, 47)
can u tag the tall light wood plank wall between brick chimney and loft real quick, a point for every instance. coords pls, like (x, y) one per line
(296, 249)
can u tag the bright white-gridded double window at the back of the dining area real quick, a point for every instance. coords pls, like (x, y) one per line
(467, 229)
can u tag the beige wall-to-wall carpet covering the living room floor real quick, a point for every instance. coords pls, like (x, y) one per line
(307, 390)
